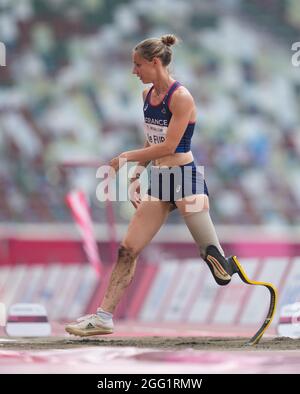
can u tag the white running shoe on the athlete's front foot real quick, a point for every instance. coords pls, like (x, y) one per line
(90, 325)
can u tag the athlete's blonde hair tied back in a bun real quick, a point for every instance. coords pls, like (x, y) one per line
(157, 47)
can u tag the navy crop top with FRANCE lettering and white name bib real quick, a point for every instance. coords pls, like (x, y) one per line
(157, 119)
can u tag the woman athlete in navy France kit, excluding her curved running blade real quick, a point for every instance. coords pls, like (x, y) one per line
(176, 182)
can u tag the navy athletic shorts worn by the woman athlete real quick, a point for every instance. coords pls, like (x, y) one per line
(174, 183)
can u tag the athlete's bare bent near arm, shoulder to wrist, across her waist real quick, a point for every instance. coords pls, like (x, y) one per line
(181, 107)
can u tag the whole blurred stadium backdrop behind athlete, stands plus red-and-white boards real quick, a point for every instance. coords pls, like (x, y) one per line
(67, 94)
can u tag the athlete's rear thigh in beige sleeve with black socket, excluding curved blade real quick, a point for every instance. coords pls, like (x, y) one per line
(195, 212)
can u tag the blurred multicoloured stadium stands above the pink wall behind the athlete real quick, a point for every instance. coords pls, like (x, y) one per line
(67, 93)
